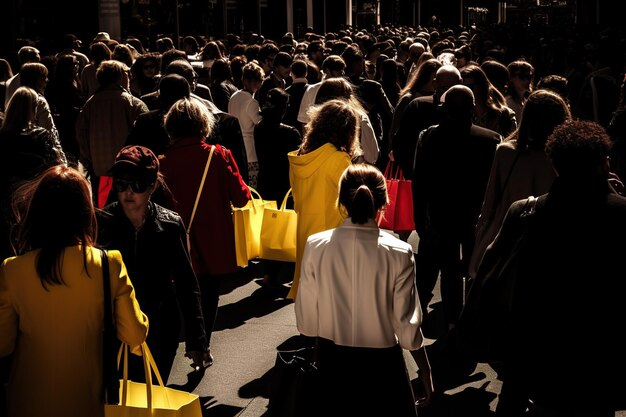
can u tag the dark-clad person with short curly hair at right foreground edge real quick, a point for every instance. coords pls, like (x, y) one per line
(571, 278)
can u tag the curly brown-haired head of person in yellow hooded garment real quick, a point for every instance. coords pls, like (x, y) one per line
(336, 122)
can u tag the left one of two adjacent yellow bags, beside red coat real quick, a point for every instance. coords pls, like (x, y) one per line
(247, 221)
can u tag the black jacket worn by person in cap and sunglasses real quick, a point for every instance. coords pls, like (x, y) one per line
(158, 265)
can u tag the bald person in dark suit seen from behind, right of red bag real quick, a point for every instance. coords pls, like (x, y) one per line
(458, 153)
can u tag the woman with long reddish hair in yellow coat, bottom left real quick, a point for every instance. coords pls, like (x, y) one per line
(51, 301)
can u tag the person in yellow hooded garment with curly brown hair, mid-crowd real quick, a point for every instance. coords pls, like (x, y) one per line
(331, 143)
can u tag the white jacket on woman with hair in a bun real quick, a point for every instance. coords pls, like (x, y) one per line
(357, 288)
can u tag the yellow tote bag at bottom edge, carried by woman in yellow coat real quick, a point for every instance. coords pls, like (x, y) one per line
(147, 400)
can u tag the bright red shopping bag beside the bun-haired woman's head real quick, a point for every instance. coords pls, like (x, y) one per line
(398, 216)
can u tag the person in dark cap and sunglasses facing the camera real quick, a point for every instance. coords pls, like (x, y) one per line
(151, 239)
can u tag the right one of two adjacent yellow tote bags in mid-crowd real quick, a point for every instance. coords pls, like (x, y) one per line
(278, 233)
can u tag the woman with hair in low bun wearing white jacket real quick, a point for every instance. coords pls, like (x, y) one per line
(357, 296)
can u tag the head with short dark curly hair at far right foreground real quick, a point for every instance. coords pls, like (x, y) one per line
(579, 150)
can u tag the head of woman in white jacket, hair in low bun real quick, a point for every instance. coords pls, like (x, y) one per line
(363, 192)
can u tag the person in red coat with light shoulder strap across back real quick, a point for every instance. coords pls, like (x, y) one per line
(210, 229)
